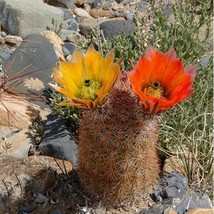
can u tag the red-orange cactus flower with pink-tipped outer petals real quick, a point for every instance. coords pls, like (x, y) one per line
(161, 81)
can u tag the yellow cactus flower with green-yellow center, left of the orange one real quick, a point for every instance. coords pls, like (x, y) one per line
(86, 80)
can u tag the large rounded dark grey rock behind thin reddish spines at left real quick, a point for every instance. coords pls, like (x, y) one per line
(31, 66)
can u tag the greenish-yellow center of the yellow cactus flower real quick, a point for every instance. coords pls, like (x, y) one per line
(88, 90)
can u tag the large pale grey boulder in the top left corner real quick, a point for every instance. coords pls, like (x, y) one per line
(25, 17)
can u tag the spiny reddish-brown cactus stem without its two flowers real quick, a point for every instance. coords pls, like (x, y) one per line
(117, 147)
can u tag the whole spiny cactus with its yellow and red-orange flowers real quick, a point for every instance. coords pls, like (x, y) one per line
(118, 133)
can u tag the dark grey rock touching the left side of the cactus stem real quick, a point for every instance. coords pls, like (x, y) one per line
(57, 140)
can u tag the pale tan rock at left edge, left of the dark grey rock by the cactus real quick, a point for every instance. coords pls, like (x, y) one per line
(15, 142)
